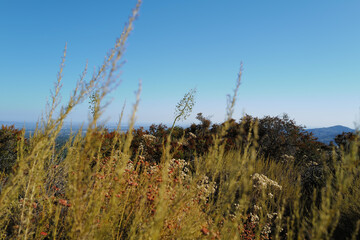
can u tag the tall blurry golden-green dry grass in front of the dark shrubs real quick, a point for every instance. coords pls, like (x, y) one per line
(81, 193)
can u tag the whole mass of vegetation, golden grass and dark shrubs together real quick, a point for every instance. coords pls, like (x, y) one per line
(253, 179)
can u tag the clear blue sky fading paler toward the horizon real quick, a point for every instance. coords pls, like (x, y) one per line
(300, 57)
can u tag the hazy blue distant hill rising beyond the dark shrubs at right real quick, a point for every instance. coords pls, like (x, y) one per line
(327, 134)
